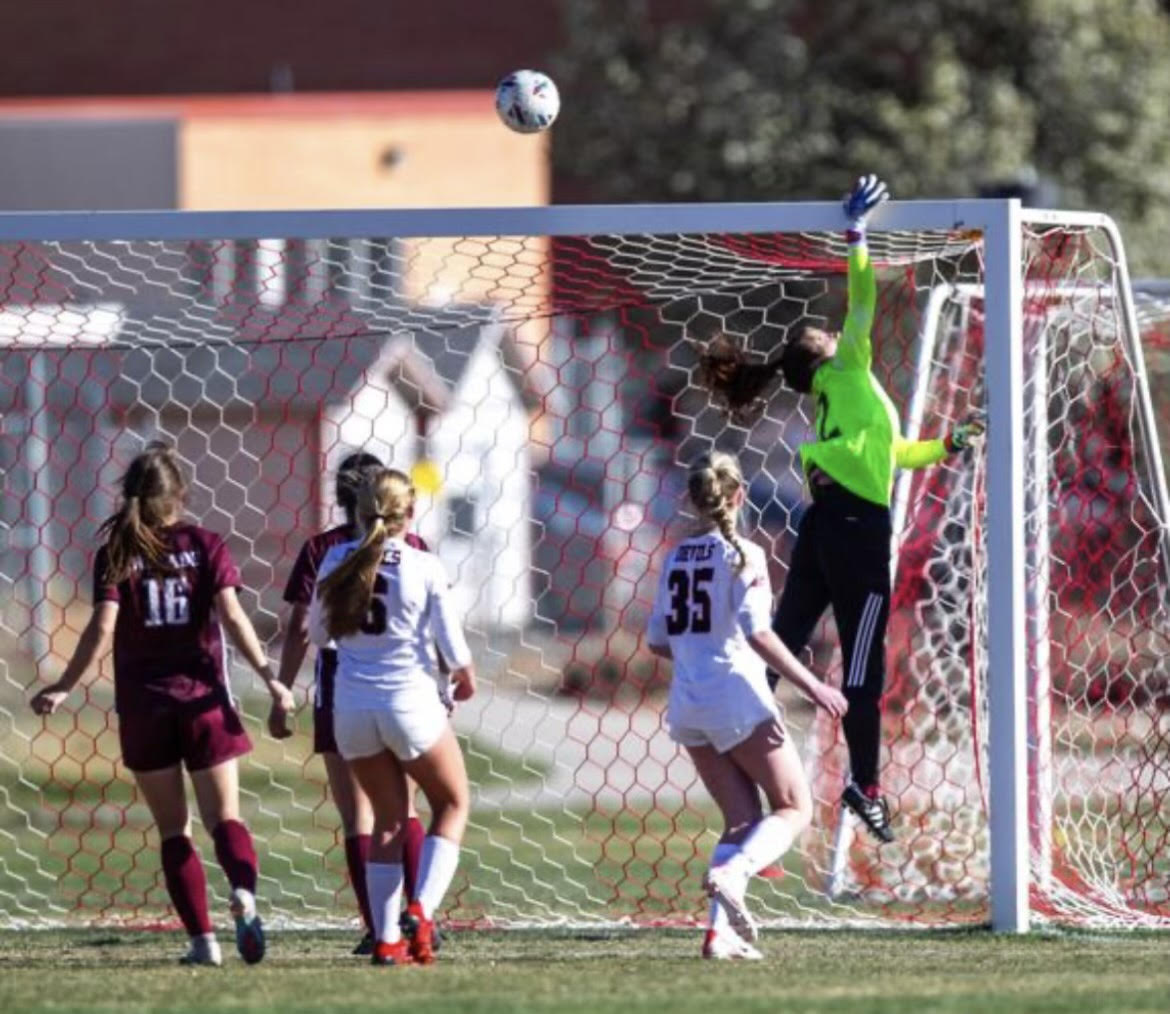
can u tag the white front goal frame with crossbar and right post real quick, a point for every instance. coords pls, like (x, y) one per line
(1001, 224)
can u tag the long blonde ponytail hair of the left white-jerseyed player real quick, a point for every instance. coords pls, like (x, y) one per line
(384, 505)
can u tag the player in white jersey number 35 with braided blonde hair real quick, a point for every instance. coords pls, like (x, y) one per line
(713, 618)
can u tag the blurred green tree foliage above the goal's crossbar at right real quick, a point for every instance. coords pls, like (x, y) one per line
(773, 100)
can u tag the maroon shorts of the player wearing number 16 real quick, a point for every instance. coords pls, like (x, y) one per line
(196, 739)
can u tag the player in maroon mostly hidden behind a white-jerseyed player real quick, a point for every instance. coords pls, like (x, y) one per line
(353, 804)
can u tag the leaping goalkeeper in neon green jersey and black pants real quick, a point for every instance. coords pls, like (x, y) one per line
(842, 557)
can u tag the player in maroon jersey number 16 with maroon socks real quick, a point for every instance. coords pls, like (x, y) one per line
(162, 588)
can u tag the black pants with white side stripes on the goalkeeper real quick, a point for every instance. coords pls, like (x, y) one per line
(843, 560)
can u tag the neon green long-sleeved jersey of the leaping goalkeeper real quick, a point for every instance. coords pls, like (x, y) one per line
(859, 440)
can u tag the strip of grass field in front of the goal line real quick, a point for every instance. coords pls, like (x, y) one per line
(971, 972)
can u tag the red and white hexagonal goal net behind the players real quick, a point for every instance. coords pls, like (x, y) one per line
(543, 391)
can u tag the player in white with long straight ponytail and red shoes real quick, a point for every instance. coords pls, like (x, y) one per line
(382, 602)
